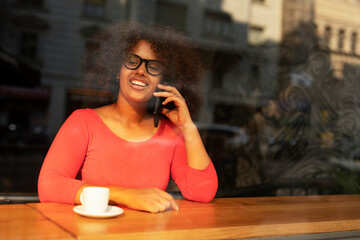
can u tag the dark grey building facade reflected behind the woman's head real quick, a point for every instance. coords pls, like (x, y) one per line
(53, 36)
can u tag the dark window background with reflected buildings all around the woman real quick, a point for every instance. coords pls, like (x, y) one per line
(281, 104)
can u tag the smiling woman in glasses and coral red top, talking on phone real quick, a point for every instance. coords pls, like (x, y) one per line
(118, 146)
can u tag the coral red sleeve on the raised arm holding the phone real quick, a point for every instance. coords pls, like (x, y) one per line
(195, 185)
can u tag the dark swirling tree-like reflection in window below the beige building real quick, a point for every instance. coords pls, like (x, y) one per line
(311, 129)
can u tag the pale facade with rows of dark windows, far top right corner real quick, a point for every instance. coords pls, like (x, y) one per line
(338, 24)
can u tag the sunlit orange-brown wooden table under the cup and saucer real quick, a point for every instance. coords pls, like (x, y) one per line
(224, 218)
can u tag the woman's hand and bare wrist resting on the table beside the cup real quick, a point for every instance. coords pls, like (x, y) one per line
(145, 199)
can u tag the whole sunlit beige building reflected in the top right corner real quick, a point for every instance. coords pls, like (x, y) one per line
(336, 27)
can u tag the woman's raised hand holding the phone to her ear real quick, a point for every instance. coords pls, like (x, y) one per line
(180, 115)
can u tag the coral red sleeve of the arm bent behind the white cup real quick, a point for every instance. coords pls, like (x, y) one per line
(57, 181)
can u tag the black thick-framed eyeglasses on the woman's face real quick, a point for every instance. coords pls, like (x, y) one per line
(153, 67)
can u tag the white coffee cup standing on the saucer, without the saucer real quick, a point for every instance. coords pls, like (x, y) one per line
(95, 199)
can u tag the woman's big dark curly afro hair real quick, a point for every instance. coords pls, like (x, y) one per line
(183, 65)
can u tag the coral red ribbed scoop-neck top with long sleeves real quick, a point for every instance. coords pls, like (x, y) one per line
(85, 150)
